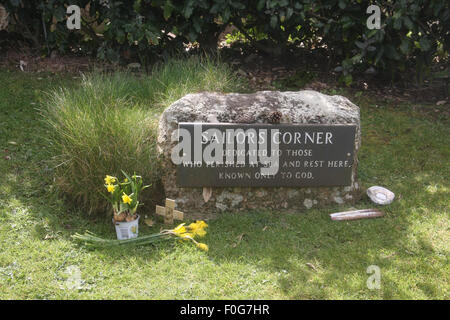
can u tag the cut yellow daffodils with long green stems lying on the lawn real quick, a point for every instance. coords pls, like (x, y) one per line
(181, 232)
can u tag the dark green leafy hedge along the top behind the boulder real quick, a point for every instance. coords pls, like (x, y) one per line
(412, 31)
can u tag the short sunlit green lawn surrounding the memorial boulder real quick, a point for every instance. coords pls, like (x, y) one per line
(253, 255)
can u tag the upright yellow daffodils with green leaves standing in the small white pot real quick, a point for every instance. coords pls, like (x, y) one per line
(124, 196)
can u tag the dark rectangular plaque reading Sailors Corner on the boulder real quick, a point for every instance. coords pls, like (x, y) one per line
(264, 155)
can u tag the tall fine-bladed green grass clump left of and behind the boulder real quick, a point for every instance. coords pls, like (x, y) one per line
(109, 123)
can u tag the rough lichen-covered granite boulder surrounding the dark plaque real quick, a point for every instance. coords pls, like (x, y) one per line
(303, 107)
